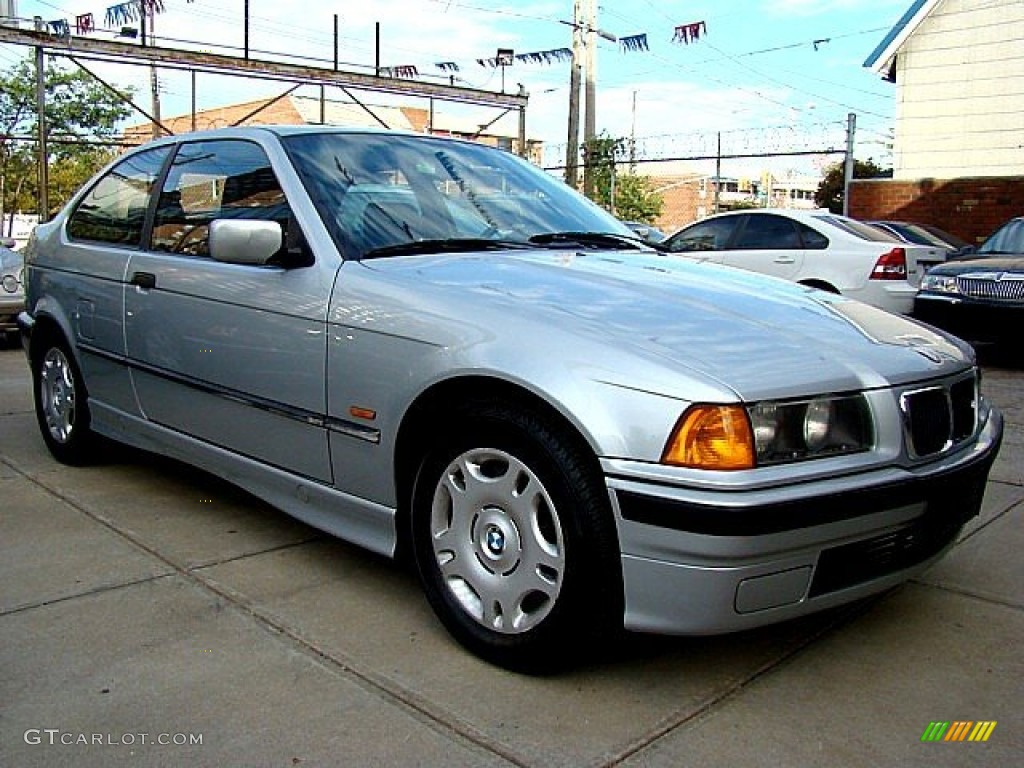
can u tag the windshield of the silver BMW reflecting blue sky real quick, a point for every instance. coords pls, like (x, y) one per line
(379, 191)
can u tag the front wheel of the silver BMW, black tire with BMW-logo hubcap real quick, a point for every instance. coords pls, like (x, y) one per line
(515, 541)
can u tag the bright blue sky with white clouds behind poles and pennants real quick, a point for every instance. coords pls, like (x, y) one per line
(765, 74)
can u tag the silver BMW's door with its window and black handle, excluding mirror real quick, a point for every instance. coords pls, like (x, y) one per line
(233, 355)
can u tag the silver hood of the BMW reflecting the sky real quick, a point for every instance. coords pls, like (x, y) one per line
(662, 316)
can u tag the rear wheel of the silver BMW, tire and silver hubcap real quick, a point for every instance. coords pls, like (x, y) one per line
(62, 402)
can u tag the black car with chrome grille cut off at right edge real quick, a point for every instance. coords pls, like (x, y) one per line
(980, 298)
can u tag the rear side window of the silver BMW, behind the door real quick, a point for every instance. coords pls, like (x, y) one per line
(114, 210)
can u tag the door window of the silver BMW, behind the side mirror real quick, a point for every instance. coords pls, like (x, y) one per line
(216, 181)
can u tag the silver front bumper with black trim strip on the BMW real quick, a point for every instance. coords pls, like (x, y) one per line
(738, 561)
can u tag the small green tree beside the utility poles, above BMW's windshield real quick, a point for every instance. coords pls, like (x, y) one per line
(635, 199)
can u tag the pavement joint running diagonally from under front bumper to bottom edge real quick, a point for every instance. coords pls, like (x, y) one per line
(844, 617)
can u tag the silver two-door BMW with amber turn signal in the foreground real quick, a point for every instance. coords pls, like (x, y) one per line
(569, 432)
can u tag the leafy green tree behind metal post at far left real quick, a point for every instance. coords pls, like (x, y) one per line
(79, 113)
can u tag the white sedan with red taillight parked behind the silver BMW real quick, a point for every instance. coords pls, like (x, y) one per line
(815, 248)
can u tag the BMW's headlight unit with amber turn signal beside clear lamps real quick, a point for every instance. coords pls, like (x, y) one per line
(726, 438)
